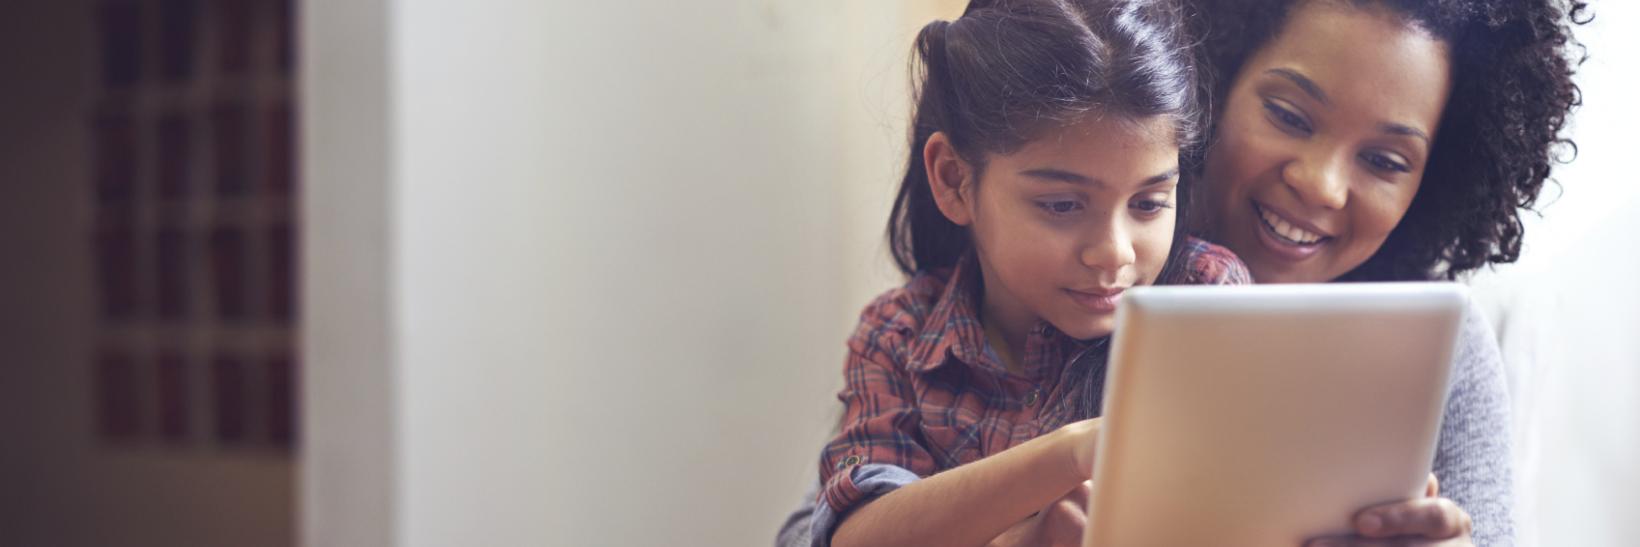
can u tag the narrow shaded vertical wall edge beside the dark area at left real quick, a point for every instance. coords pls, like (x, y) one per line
(348, 389)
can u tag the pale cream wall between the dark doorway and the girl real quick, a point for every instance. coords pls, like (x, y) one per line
(580, 274)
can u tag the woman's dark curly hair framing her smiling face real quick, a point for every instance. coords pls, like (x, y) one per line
(1500, 135)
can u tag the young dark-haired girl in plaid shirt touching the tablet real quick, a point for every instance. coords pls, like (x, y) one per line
(1042, 184)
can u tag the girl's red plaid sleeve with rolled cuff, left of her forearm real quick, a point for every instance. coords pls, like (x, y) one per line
(881, 425)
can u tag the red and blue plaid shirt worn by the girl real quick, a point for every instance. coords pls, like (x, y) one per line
(926, 394)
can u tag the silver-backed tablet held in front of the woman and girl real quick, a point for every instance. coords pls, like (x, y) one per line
(1269, 415)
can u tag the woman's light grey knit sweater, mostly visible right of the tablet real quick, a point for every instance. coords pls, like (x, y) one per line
(1472, 459)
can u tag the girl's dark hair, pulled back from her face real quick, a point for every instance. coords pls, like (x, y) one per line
(1013, 70)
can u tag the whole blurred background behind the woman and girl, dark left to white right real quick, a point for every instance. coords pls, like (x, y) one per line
(503, 273)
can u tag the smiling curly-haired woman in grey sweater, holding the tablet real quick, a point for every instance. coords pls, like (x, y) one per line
(1385, 140)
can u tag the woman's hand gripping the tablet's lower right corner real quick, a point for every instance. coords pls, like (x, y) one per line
(1428, 522)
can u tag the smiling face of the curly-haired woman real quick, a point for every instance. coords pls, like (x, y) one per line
(1321, 147)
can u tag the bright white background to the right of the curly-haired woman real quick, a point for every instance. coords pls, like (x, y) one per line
(1569, 315)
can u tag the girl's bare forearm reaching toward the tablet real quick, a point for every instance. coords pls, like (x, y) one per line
(973, 504)
